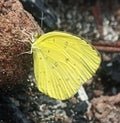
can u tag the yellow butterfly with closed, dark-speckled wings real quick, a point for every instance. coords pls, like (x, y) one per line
(62, 63)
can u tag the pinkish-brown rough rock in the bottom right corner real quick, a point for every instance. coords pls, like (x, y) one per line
(106, 109)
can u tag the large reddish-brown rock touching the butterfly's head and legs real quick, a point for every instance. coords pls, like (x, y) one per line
(16, 27)
